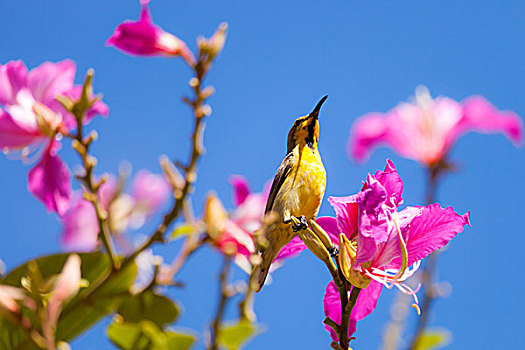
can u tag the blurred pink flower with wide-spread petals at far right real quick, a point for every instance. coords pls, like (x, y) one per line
(426, 129)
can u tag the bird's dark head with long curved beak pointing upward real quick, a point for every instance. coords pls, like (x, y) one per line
(305, 130)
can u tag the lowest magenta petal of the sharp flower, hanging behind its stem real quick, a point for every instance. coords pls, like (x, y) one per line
(366, 303)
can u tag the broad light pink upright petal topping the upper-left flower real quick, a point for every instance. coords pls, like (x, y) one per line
(51, 79)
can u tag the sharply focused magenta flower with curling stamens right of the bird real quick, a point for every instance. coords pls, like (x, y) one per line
(386, 246)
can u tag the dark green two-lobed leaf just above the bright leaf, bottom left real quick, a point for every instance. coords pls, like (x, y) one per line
(149, 306)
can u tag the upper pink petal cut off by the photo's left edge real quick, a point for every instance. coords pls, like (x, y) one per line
(13, 77)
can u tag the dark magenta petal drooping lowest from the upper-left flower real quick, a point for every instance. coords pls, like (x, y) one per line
(49, 181)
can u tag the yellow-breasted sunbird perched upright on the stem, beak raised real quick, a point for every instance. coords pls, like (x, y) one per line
(297, 190)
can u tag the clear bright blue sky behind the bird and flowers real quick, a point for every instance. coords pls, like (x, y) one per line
(279, 59)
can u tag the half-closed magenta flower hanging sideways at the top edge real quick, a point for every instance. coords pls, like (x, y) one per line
(144, 38)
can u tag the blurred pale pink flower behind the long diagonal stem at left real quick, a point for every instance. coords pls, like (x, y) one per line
(80, 225)
